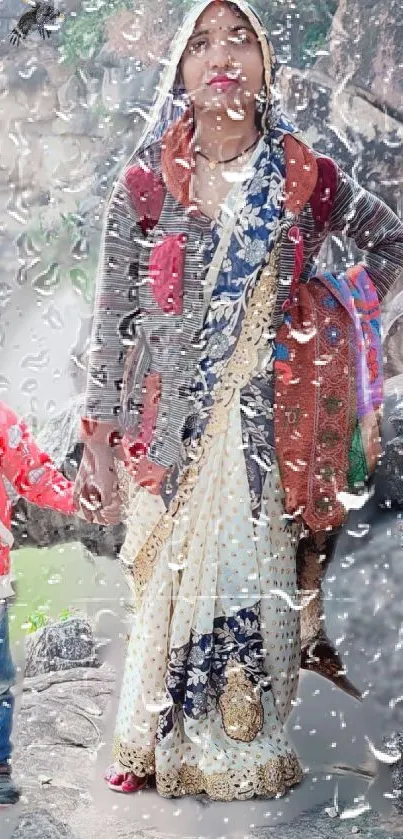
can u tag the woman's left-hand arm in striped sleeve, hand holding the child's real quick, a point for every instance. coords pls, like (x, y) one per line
(96, 487)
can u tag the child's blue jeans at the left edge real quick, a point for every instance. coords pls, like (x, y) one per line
(7, 679)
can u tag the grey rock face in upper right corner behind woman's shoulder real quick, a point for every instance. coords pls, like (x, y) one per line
(350, 103)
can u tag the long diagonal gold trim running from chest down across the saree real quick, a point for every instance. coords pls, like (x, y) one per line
(236, 374)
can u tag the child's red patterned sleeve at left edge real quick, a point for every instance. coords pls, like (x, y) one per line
(30, 470)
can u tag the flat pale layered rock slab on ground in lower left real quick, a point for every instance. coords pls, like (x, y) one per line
(58, 732)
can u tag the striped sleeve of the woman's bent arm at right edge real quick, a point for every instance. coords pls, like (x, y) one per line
(375, 228)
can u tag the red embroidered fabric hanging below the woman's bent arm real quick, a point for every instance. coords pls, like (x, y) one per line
(315, 408)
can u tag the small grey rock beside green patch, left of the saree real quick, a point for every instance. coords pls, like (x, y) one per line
(61, 646)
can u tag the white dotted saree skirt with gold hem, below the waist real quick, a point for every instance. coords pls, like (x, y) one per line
(216, 564)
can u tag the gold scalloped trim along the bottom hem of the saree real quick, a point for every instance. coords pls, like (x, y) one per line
(268, 781)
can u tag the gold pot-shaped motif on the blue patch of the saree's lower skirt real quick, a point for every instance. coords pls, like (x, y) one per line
(240, 705)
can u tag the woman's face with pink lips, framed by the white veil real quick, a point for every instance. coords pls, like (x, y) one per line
(222, 65)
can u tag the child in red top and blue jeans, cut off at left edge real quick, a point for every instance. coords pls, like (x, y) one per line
(34, 476)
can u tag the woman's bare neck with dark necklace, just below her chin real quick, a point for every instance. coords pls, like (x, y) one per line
(219, 137)
